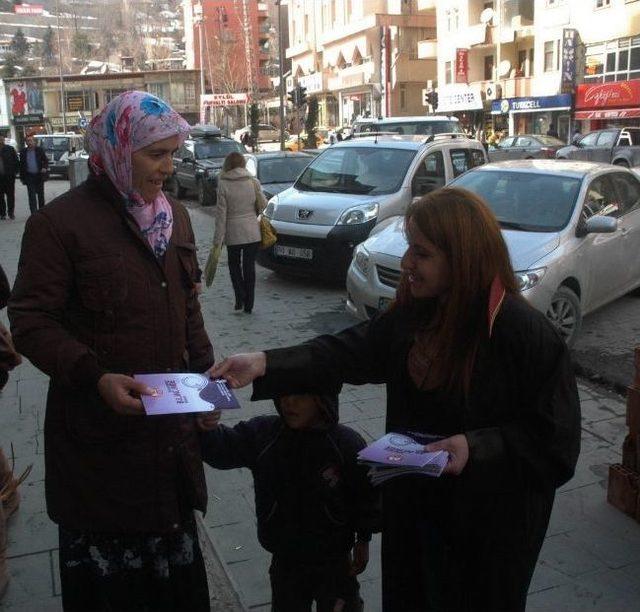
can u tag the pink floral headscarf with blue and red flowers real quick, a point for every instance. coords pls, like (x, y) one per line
(132, 121)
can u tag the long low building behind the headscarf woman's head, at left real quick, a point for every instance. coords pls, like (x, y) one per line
(35, 103)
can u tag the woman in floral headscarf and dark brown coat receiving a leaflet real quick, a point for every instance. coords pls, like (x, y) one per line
(106, 288)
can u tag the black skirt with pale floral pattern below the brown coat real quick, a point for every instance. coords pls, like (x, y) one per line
(132, 572)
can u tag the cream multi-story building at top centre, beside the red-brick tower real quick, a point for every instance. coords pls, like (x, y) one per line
(359, 58)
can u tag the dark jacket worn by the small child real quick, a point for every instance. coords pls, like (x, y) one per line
(311, 496)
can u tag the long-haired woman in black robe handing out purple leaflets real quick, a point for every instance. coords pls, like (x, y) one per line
(463, 356)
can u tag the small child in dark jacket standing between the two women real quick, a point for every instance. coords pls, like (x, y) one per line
(315, 507)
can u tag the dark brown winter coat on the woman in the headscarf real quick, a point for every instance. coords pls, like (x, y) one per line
(90, 297)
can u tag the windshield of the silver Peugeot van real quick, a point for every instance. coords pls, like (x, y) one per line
(358, 170)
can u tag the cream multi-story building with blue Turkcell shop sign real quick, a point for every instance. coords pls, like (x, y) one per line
(517, 65)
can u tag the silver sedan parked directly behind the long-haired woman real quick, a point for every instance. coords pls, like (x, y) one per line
(572, 230)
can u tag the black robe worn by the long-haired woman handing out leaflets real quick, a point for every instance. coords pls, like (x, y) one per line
(466, 543)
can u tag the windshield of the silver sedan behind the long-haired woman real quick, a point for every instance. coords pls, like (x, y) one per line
(526, 201)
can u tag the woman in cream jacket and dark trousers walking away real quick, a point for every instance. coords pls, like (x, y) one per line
(240, 201)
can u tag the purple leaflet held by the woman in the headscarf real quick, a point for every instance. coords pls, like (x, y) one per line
(177, 393)
